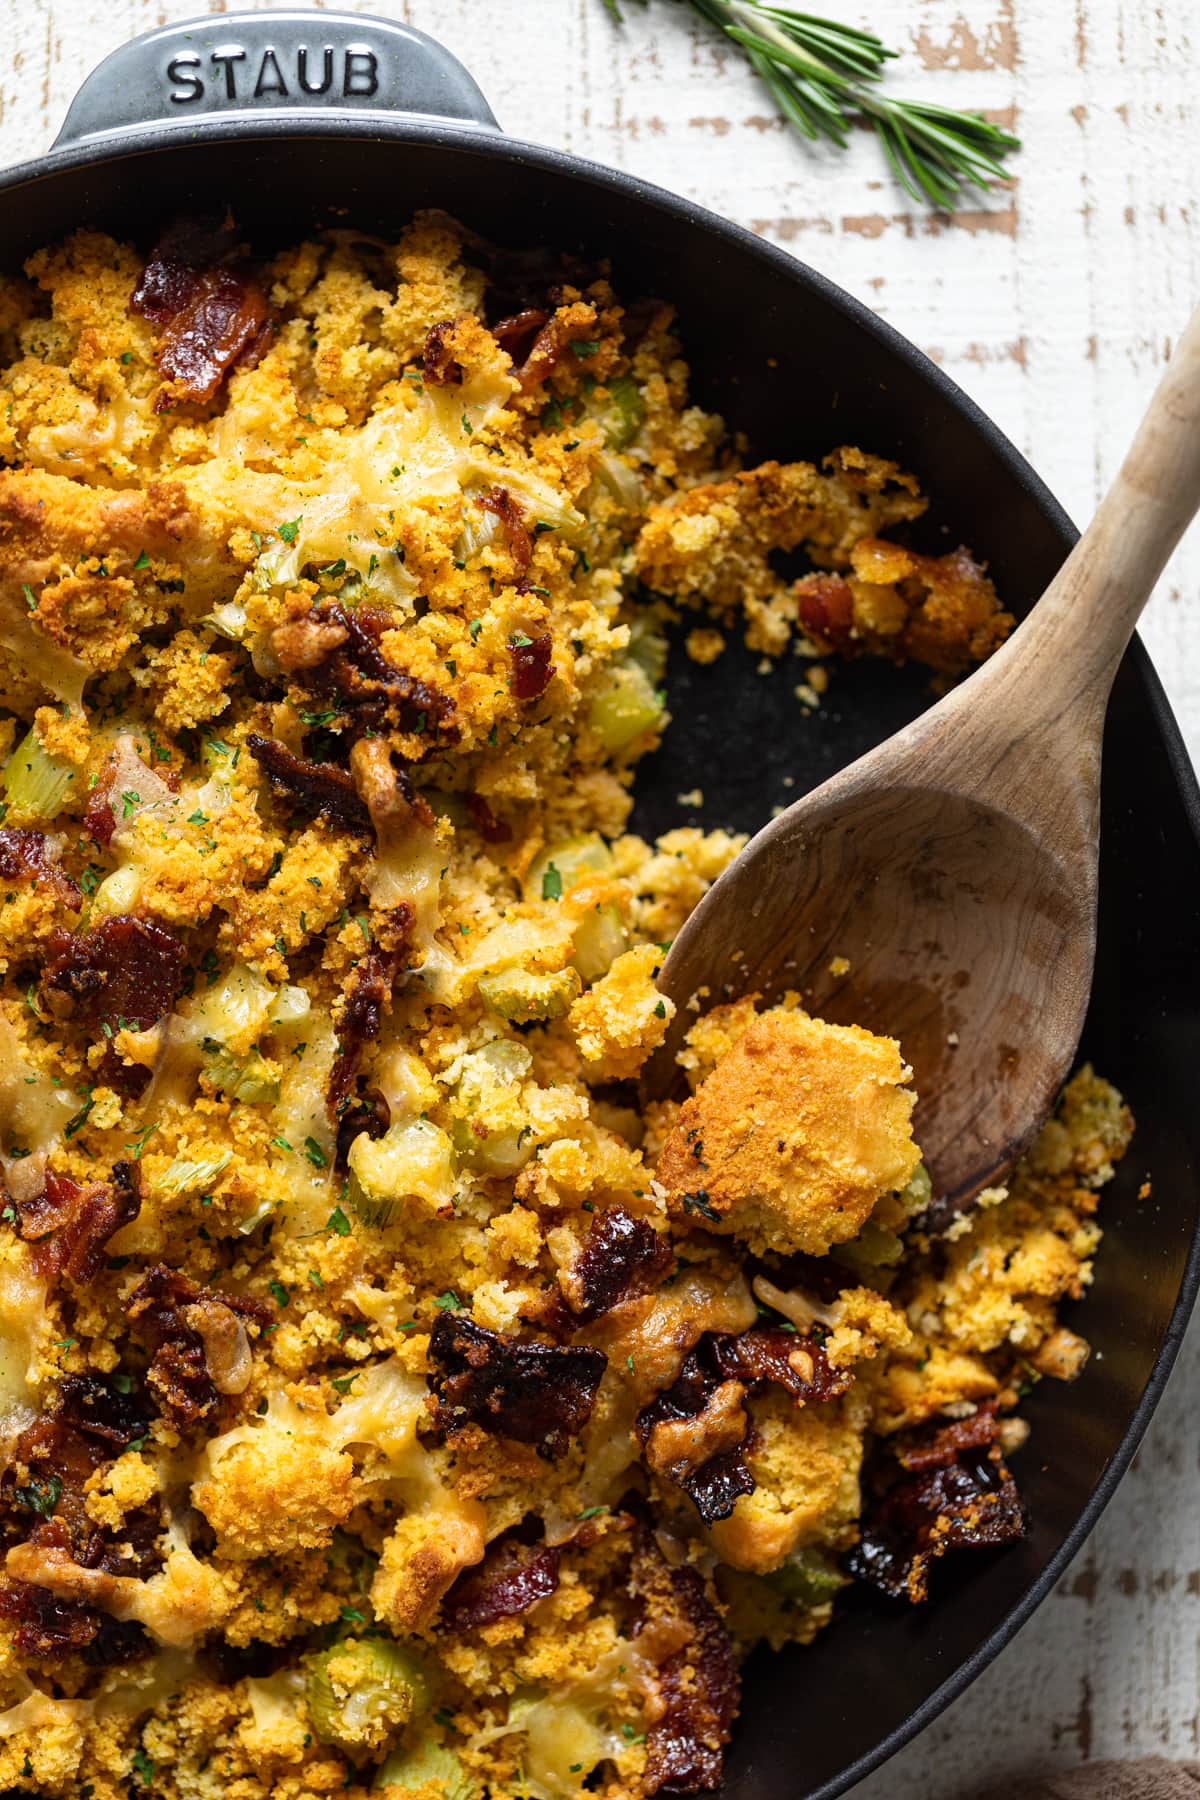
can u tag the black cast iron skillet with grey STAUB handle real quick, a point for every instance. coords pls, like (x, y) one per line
(174, 121)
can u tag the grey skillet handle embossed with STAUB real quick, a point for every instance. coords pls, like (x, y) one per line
(296, 64)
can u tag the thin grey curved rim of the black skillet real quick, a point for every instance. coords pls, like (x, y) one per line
(130, 143)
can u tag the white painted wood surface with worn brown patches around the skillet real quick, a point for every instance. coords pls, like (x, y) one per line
(1055, 307)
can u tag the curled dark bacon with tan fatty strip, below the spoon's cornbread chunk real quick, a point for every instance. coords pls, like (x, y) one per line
(717, 1374)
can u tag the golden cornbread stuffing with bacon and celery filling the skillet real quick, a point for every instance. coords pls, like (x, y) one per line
(391, 1405)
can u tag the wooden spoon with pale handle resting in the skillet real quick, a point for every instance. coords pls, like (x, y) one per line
(954, 868)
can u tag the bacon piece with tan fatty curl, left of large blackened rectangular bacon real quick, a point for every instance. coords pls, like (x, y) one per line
(179, 1374)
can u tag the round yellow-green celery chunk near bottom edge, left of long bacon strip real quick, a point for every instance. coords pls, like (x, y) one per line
(363, 1693)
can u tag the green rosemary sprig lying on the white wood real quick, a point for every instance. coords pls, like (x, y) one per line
(821, 73)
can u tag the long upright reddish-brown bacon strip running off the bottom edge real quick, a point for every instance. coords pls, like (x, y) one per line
(697, 1673)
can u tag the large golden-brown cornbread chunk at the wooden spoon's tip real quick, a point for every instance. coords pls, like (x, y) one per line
(794, 1137)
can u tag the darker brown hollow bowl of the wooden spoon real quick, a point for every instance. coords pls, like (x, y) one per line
(936, 928)
